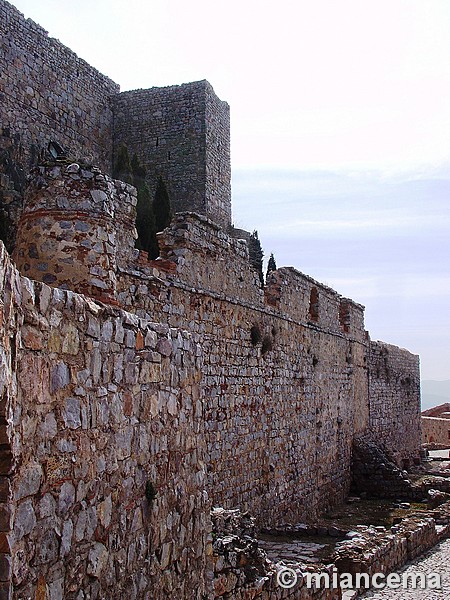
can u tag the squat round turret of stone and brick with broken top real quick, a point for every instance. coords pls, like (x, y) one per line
(77, 228)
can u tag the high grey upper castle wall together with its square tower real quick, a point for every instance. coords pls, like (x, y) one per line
(180, 133)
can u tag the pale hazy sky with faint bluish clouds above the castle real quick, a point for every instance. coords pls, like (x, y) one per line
(340, 133)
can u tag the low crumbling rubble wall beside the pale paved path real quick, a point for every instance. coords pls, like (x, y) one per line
(243, 570)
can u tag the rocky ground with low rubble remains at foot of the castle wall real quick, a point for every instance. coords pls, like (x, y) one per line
(365, 535)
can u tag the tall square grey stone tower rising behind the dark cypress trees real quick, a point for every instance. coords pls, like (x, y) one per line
(182, 134)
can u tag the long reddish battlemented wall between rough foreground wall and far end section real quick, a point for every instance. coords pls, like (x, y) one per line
(282, 397)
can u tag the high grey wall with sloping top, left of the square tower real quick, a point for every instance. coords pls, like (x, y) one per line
(48, 92)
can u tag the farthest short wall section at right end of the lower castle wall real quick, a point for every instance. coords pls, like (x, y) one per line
(394, 383)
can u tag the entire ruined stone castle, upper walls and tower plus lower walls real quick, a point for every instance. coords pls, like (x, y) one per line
(138, 394)
